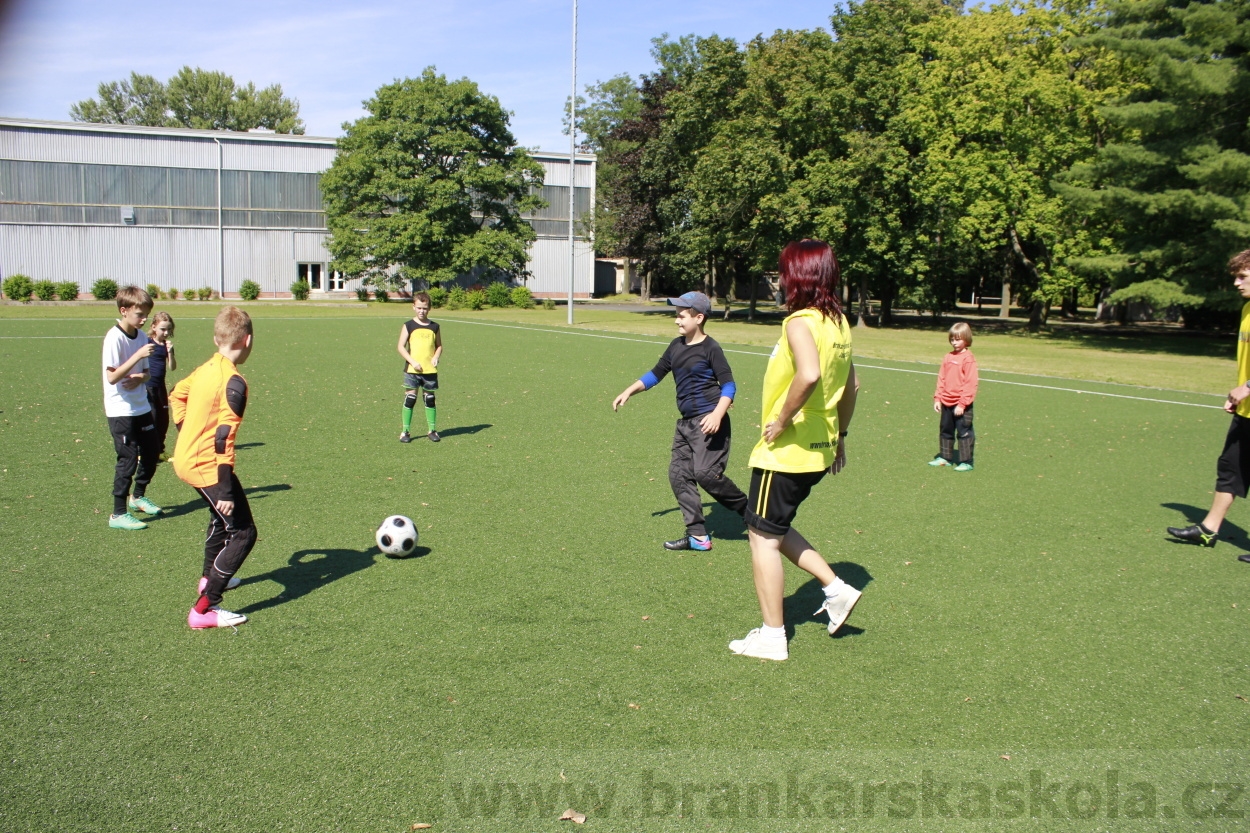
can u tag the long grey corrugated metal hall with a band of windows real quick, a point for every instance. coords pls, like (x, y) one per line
(188, 210)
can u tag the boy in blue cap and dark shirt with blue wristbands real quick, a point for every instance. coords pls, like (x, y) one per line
(701, 443)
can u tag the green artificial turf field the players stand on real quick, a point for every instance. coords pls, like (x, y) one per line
(1028, 637)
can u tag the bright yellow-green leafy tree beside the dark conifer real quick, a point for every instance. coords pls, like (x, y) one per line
(1007, 102)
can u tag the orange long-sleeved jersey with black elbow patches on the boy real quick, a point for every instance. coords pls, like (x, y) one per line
(208, 410)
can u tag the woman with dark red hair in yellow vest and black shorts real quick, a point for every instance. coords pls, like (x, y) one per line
(809, 398)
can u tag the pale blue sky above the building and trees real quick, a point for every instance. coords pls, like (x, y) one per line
(333, 56)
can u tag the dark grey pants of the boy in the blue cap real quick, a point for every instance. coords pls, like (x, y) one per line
(699, 461)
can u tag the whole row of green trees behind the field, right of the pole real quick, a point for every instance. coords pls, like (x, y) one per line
(1044, 152)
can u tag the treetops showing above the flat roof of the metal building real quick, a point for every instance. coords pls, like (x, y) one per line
(193, 98)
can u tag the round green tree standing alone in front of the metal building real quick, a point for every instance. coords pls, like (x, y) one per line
(431, 186)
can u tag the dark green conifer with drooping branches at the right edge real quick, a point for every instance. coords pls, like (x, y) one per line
(1172, 188)
